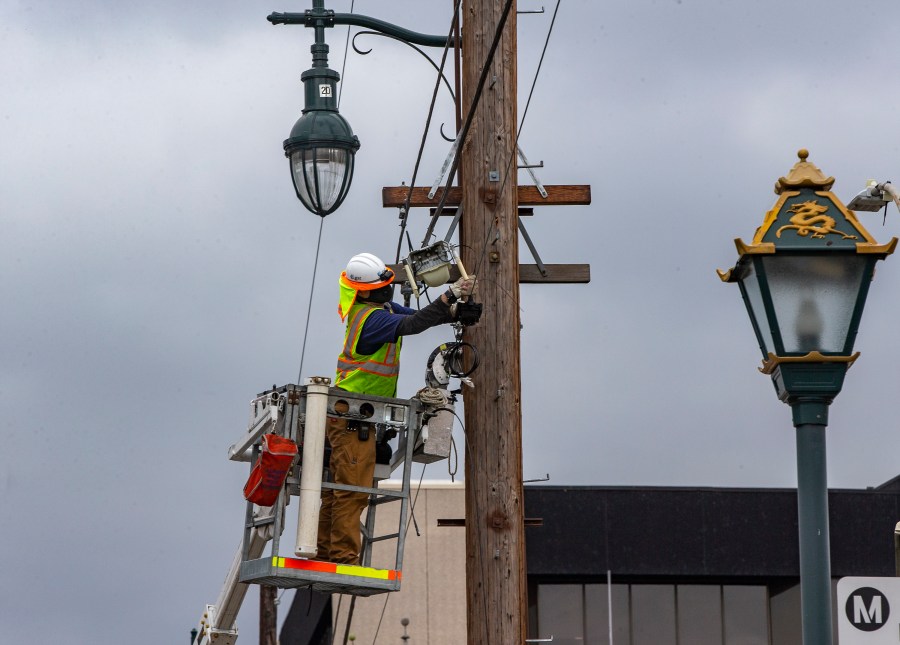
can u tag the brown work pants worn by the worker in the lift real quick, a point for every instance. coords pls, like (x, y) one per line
(353, 463)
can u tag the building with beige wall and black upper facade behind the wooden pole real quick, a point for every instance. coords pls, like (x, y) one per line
(688, 566)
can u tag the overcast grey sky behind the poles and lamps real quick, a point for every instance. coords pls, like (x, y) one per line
(155, 266)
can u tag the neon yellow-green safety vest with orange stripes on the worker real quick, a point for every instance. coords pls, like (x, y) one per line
(367, 373)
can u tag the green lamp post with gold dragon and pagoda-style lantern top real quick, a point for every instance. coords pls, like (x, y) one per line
(804, 280)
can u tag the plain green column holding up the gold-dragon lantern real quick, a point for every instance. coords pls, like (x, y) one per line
(811, 420)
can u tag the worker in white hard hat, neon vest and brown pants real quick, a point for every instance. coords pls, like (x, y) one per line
(368, 364)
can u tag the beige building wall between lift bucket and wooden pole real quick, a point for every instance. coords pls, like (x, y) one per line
(433, 592)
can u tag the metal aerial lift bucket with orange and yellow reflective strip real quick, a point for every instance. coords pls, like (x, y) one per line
(299, 413)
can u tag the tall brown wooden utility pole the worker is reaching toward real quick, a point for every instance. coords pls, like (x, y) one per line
(496, 582)
